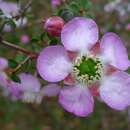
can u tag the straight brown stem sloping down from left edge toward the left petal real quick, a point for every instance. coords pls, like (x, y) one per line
(17, 48)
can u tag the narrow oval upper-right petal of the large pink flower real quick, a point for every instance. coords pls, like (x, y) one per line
(114, 51)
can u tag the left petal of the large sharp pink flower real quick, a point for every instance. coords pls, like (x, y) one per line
(53, 63)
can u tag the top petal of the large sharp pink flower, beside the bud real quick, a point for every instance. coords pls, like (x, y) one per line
(79, 34)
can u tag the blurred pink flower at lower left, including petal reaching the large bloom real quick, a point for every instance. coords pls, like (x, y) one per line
(29, 90)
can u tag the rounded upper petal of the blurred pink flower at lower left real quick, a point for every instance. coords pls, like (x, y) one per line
(29, 83)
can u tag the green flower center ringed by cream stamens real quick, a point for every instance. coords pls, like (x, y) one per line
(87, 69)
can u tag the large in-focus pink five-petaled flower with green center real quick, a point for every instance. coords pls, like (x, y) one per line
(102, 68)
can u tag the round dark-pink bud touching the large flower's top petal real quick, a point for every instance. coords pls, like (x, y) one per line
(54, 25)
